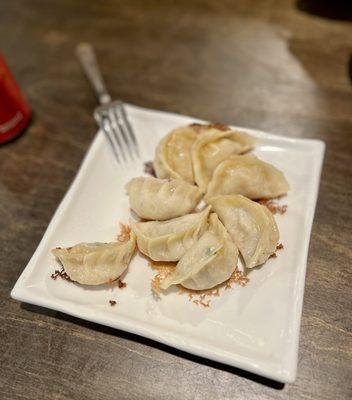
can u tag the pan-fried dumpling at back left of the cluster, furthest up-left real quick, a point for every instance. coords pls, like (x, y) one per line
(173, 154)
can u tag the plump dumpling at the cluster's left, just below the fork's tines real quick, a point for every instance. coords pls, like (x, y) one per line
(161, 199)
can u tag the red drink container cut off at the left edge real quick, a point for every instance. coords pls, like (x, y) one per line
(14, 111)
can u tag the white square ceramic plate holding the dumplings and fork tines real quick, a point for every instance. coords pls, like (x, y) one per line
(255, 328)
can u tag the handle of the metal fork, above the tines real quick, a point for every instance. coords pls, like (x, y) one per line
(88, 61)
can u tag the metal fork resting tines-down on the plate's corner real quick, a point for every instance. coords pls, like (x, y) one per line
(111, 116)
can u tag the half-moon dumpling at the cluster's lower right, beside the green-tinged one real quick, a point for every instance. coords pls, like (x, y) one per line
(251, 226)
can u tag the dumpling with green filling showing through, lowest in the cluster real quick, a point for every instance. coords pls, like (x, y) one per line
(208, 262)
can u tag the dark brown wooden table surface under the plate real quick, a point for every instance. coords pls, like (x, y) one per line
(263, 64)
